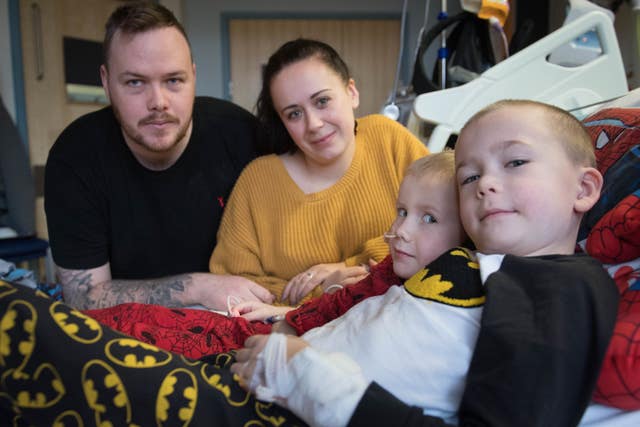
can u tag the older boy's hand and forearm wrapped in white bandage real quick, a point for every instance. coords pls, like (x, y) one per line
(321, 388)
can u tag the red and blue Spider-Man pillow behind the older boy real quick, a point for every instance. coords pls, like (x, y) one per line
(610, 232)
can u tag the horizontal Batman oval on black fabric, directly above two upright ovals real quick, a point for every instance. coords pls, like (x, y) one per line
(131, 353)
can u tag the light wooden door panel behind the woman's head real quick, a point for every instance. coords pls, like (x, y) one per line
(370, 48)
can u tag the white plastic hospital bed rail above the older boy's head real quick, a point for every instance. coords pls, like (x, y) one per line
(528, 74)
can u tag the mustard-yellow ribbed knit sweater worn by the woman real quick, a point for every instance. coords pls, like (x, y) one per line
(271, 230)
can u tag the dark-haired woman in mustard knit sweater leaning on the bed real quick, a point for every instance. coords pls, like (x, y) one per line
(290, 221)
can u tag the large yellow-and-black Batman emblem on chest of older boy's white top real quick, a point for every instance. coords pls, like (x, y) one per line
(452, 279)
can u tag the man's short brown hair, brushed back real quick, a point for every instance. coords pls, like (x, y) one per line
(138, 17)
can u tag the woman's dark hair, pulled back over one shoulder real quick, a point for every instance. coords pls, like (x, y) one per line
(276, 139)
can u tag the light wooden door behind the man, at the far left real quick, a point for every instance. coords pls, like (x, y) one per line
(44, 23)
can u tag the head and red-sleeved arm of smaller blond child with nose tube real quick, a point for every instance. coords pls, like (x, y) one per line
(426, 225)
